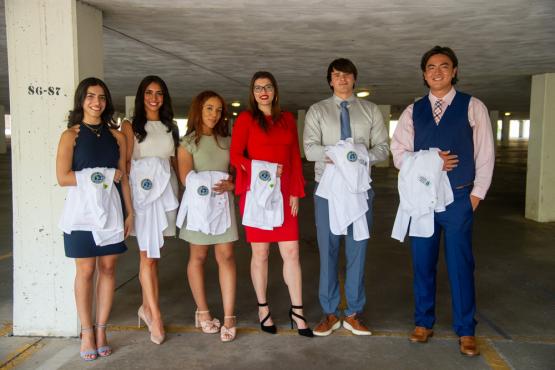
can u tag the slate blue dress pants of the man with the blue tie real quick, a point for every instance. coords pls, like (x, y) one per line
(355, 253)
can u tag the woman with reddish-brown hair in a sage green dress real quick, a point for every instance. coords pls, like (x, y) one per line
(206, 148)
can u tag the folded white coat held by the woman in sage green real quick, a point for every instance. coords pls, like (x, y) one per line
(201, 208)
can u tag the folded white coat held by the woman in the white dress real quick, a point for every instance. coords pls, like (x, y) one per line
(152, 196)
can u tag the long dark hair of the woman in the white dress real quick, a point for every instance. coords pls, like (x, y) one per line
(166, 110)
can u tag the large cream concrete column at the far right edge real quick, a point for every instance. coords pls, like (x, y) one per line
(540, 177)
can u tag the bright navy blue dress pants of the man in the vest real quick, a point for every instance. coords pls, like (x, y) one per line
(456, 224)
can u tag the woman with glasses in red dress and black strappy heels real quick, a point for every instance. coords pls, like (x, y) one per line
(266, 133)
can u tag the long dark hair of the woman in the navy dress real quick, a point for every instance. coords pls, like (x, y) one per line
(76, 114)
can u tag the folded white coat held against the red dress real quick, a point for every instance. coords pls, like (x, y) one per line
(264, 201)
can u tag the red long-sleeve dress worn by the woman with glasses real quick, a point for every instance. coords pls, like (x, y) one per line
(279, 144)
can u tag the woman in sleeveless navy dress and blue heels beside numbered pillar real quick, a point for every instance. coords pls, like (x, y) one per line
(92, 140)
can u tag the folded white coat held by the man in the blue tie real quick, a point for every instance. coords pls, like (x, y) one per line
(345, 184)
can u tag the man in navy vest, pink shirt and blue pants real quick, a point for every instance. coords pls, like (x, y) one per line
(458, 124)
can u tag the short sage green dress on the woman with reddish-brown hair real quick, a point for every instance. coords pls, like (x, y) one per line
(208, 156)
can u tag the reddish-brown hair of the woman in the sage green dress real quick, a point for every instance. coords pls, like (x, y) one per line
(194, 119)
